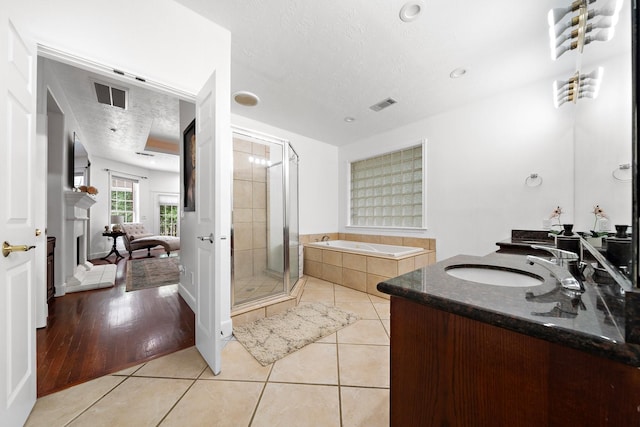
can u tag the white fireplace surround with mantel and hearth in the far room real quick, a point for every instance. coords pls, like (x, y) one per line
(83, 274)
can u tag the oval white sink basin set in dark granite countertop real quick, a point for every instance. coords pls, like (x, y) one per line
(493, 275)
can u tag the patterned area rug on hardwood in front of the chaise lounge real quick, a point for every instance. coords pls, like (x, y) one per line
(152, 272)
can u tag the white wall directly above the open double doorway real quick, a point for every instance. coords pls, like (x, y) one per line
(159, 40)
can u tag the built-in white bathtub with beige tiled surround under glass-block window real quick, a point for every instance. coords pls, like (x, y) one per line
(362, 265)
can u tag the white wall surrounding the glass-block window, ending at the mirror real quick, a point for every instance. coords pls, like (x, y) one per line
(478, 158)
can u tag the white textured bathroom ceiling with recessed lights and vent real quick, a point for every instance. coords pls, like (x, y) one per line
(312, 63)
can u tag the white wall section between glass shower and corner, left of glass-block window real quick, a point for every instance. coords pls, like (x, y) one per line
(318, 180)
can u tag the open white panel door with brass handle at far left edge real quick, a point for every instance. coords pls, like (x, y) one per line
(17, 225)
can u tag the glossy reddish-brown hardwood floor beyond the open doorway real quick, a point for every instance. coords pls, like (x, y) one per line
(94, 333)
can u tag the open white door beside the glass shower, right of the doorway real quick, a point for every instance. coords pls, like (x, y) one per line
(212, 247)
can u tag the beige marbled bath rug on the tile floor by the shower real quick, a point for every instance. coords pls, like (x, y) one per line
(271, 338)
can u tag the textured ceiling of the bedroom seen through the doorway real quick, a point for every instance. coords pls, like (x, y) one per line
(149, 114)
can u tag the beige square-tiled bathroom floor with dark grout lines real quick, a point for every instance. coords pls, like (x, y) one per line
(341, 380)
